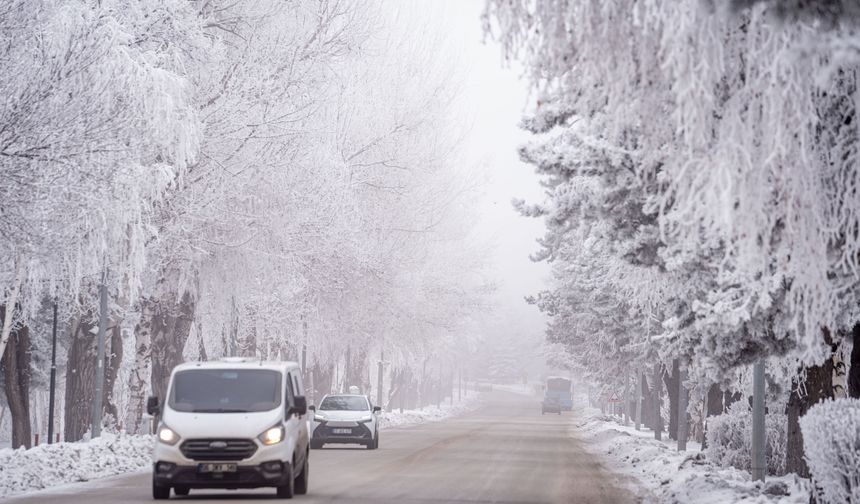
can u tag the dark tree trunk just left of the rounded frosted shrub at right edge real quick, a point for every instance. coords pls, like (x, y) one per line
(817, 387)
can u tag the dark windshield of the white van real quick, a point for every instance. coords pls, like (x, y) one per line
(225, 390)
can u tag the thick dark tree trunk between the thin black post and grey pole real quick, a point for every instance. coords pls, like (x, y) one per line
(80, 378)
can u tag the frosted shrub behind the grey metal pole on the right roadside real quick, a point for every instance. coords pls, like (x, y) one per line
(730, 439)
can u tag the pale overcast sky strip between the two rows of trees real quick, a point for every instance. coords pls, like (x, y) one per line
(493, 100)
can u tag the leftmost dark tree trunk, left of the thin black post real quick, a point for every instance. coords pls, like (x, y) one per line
(16, 373)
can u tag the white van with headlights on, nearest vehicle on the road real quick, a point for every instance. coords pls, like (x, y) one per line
(234, 423)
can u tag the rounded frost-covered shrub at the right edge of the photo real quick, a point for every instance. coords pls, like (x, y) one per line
(831, 441)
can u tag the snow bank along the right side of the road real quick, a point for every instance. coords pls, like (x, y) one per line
(679, 477)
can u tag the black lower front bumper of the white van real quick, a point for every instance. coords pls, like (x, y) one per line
(267, 474)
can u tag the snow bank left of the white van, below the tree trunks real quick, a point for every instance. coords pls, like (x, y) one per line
(50, 465)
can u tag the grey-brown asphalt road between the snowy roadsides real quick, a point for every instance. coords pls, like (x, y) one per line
(504, 452)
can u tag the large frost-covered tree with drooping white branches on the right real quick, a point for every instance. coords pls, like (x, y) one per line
(745, 125)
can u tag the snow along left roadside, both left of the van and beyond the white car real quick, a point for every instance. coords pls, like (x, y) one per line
(47, 466)
